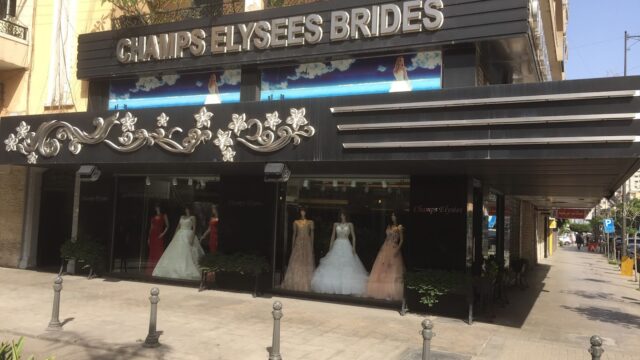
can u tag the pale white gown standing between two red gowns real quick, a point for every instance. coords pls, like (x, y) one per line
(180, 259)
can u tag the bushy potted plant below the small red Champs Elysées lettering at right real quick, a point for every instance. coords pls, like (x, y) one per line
(431, 285)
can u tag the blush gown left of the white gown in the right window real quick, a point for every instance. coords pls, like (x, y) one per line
(301, 262)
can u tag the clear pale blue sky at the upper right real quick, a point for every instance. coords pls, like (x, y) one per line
(596, 38)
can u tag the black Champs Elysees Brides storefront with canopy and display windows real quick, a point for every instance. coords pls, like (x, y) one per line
(422, 114)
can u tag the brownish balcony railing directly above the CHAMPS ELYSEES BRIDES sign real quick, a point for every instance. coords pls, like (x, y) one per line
(215, 8)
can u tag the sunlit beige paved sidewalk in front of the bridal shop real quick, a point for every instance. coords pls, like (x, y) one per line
(580, 295)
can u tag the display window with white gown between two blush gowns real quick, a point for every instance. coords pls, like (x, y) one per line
(344, 236)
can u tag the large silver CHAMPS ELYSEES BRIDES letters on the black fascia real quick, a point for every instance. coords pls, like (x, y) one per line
(357, 23)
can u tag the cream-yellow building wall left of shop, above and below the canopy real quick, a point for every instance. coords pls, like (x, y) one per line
(38, 39)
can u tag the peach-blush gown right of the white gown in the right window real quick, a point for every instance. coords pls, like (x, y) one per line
(386, 279)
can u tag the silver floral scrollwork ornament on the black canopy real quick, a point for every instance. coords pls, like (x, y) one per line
(269, 136)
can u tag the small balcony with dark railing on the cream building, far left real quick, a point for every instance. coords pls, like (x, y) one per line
(14, 45)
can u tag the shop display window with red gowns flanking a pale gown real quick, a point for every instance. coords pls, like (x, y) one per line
(163, 225)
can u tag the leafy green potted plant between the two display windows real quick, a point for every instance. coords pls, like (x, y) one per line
(241, 264)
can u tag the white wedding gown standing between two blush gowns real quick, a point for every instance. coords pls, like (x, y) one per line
(340, 271)
